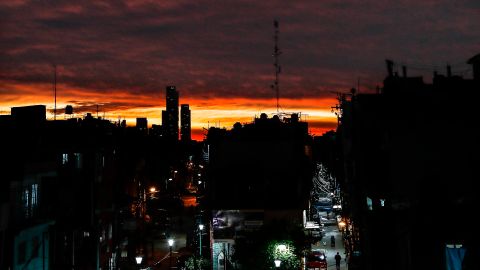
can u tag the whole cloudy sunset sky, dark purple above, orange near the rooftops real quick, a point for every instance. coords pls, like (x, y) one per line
(121, 55)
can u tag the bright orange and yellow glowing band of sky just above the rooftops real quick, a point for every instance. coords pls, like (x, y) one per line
(205, 112)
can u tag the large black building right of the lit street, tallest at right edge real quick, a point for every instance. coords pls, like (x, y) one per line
(410, 162)
